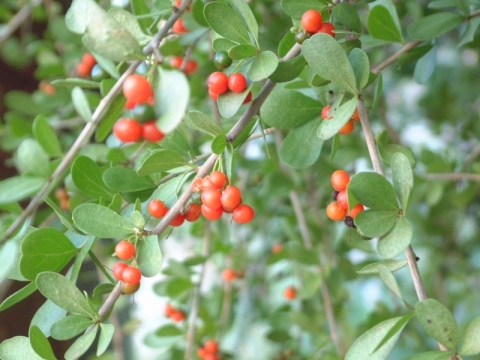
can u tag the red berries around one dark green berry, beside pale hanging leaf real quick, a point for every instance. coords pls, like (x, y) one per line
(141, 126)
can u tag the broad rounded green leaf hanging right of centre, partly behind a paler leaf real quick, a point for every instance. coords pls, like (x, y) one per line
(301, 147)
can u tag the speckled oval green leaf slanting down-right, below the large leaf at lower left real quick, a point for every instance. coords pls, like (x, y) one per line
(58, 289)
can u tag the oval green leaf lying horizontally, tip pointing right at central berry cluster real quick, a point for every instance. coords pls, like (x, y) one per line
(100, 221)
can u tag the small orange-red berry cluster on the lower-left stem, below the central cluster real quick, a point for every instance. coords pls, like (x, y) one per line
(122, 271)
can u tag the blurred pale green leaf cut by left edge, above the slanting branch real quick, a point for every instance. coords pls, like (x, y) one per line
(19, 188)
